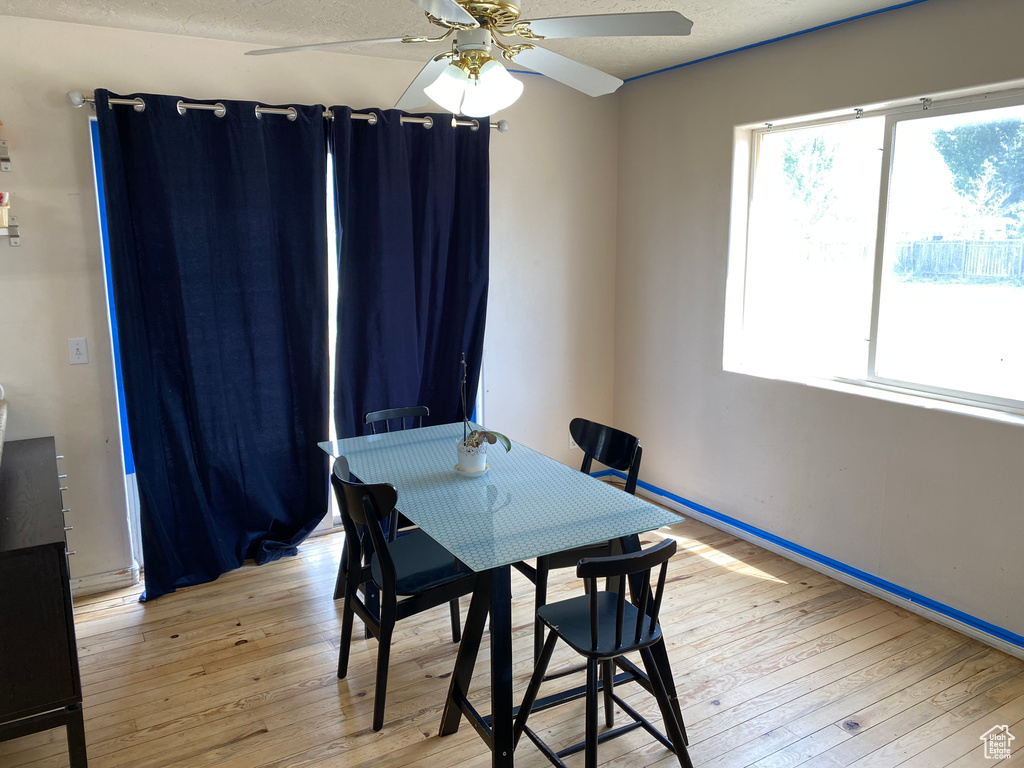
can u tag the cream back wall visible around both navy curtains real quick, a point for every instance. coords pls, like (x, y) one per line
(52, 288)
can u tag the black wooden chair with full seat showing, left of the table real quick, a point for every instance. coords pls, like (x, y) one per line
(414, 568)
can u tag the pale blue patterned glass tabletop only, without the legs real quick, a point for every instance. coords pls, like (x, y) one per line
(525, 506)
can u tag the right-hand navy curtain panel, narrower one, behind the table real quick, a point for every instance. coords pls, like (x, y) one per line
(413, 230)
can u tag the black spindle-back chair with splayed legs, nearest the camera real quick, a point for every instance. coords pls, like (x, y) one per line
(603, 627)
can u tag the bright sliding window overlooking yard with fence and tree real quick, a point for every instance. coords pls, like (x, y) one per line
(886, 249)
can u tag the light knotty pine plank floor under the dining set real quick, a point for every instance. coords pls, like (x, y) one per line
(777, 666)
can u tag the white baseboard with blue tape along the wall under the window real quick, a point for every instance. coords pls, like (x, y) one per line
(840, 576)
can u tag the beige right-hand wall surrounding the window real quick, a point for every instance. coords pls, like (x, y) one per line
(931, 501)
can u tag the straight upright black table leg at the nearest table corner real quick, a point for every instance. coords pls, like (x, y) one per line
(501, 668)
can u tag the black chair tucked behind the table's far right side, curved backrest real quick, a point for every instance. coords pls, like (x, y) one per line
(614, 449)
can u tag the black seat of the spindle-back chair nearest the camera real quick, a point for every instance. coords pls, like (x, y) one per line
(571, 620)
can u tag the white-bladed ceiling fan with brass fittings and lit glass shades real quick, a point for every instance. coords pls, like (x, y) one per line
(471, 80)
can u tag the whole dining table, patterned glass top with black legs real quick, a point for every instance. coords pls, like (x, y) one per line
(527, 505)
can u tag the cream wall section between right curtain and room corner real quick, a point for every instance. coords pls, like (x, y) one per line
(549, 352)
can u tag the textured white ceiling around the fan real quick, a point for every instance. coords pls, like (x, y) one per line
(718, 25)
